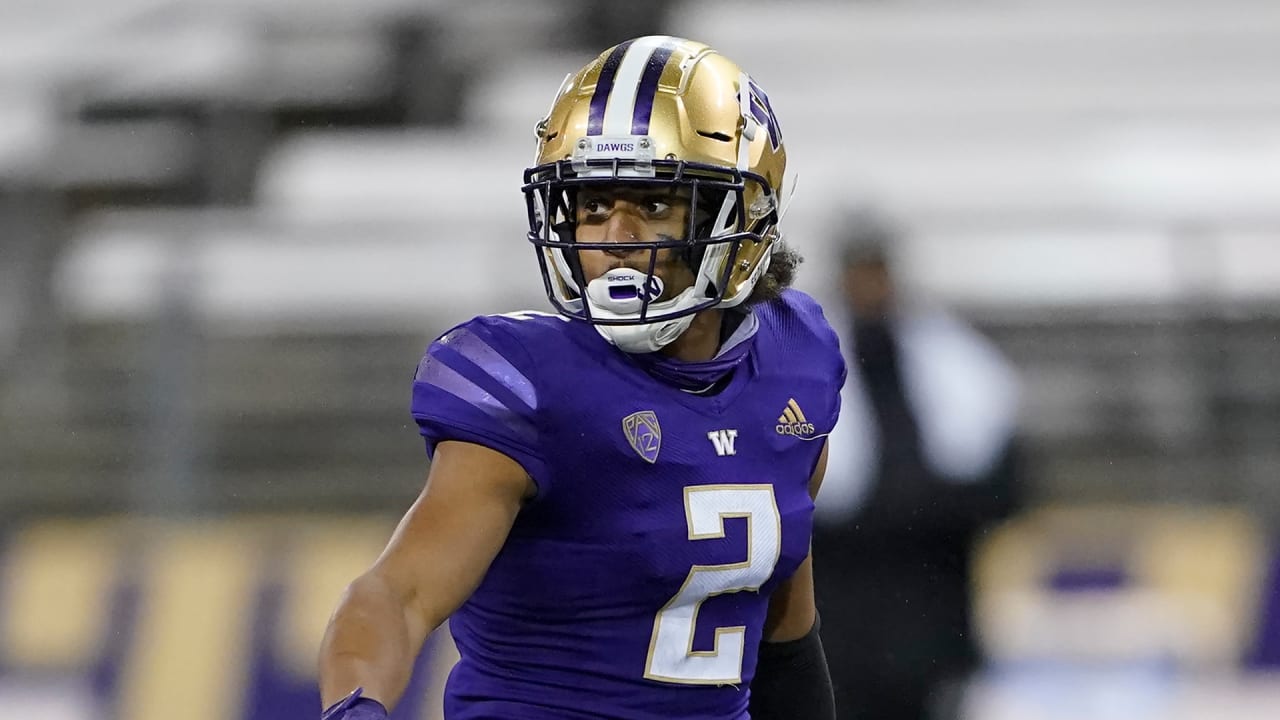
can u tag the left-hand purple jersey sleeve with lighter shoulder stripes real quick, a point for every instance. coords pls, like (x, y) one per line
(478, 384)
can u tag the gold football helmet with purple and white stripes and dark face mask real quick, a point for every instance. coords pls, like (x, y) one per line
(659, 111)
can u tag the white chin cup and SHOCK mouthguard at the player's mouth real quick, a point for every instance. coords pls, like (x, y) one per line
(620, 295)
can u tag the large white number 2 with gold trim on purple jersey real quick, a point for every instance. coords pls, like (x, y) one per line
(673, 658)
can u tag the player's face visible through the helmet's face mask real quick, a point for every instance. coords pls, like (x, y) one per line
(621, 213)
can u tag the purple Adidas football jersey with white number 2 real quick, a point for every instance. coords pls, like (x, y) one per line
(636, 585)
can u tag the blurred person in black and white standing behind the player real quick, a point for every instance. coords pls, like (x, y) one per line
(925, 458)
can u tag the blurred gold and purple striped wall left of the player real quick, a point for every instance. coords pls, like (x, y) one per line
(200, 621)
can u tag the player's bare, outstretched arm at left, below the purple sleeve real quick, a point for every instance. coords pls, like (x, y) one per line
(433, 563)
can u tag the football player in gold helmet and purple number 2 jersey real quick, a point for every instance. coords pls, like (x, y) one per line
(618, 516)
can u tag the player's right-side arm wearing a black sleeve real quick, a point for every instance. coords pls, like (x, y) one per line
(792, 676)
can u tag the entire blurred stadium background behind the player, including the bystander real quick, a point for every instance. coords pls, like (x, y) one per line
(230, 229)
